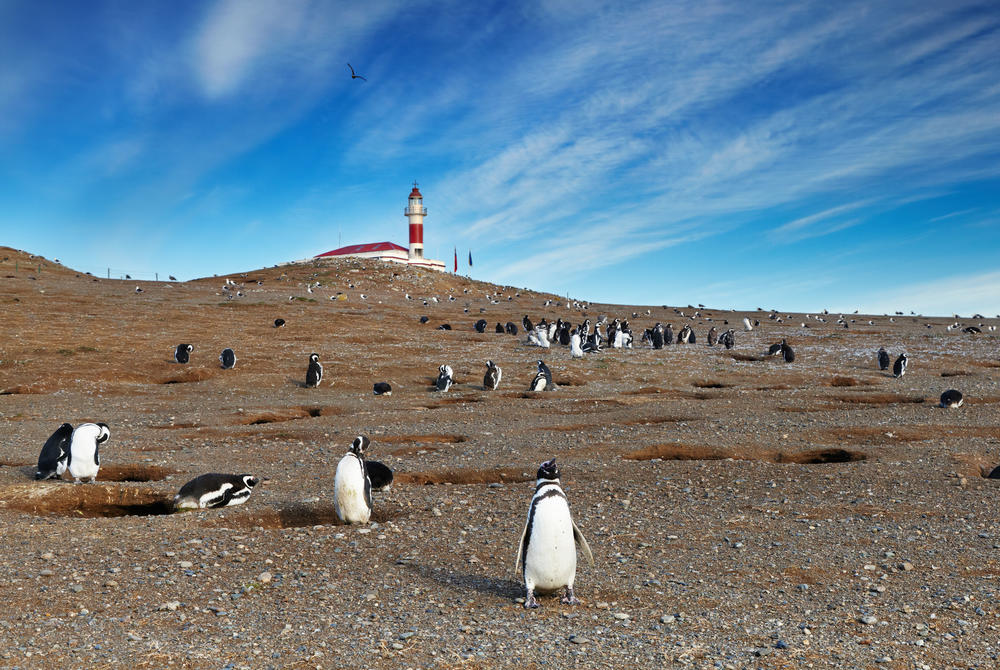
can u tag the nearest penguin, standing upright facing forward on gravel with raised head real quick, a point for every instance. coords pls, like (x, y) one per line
(546, 554)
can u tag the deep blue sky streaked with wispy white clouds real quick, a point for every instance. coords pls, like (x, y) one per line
(739, 154)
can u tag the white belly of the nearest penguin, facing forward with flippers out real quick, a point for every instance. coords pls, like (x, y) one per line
(550, 562)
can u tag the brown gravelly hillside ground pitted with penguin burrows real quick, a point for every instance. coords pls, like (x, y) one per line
(743, 512)
